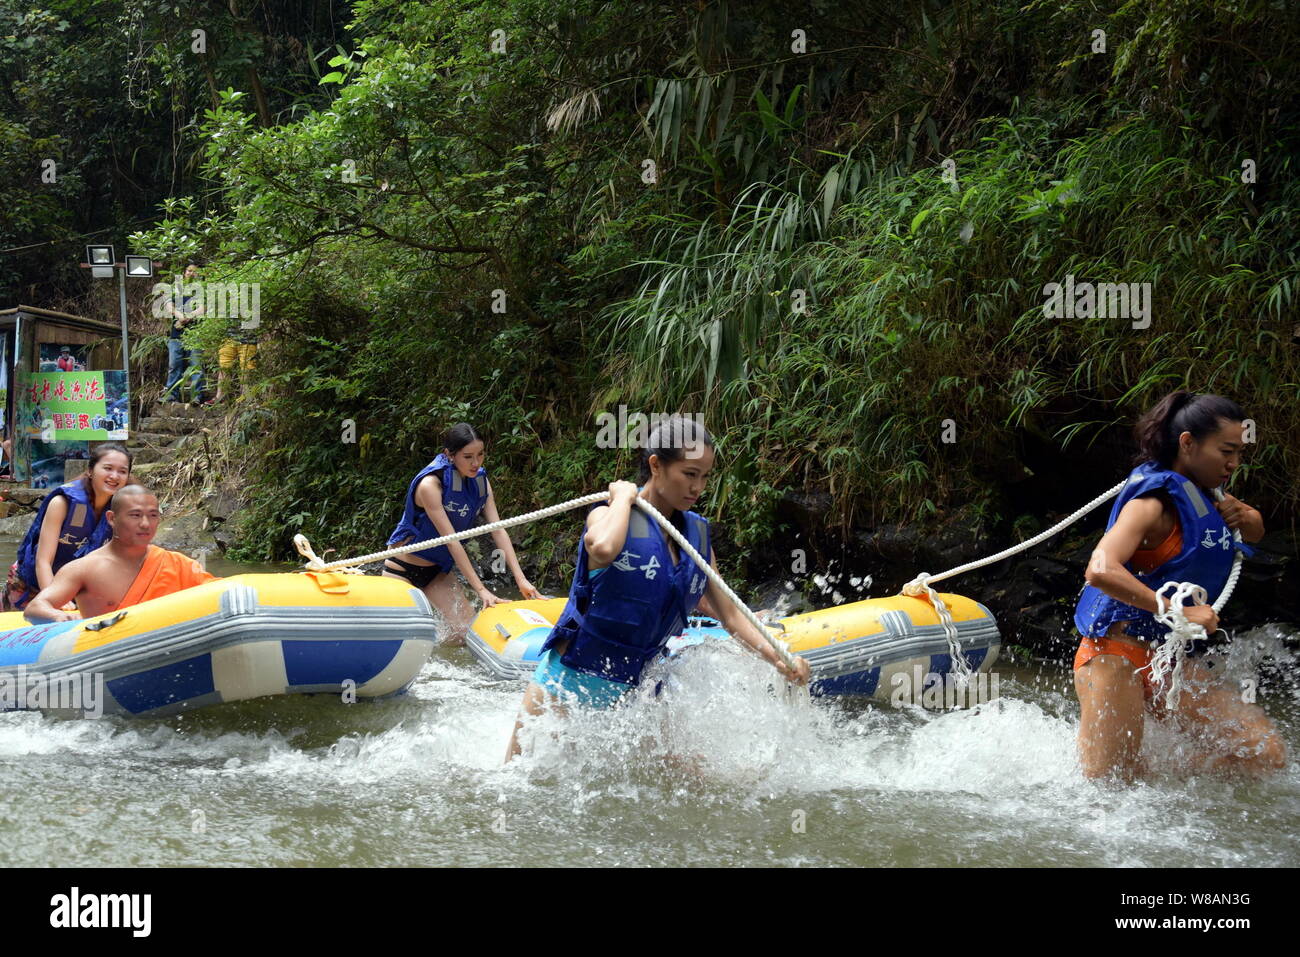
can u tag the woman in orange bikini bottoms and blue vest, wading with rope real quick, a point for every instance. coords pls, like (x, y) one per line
(1165, 526)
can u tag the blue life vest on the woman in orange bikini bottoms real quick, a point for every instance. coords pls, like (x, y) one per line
(1204, 560)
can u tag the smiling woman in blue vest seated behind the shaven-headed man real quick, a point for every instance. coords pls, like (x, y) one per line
(70, 523)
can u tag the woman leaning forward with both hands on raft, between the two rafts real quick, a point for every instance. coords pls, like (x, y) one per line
(448, 496)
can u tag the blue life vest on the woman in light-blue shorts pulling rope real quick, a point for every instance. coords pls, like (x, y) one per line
(623, 618)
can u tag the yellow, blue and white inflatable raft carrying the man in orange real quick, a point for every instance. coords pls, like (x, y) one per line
(228, 640)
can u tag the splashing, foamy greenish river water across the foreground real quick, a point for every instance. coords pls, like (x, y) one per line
(720, 772)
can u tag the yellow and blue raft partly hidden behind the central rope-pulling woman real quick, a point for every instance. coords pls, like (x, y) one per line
(874, 648)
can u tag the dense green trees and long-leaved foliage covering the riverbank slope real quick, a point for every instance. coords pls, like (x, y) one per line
(444, 231)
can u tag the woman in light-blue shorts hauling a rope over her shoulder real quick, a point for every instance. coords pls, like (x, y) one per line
(632, 591)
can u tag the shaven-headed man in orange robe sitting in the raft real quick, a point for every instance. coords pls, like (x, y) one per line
(127, 571)
